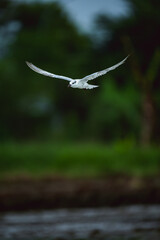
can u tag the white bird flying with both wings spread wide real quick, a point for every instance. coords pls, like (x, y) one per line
(77, 83)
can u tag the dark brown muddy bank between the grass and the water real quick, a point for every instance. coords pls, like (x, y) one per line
(25, 193)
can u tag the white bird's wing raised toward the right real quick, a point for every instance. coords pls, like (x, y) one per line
(100, 73)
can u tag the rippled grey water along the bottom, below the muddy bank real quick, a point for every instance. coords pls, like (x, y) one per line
(131, 222)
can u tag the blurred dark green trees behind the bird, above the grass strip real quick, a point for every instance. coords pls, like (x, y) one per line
(34, 107)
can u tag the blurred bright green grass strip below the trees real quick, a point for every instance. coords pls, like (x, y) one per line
(77, 160)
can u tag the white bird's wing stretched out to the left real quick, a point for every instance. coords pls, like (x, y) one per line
(38, 70)
